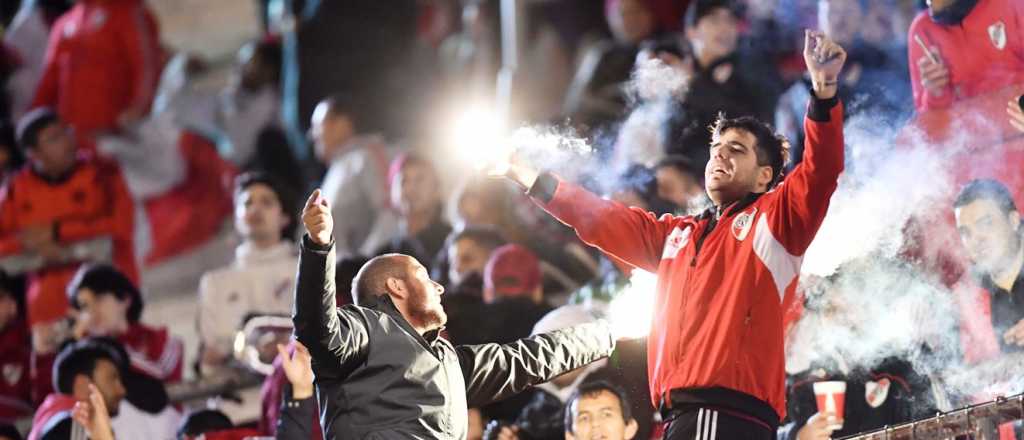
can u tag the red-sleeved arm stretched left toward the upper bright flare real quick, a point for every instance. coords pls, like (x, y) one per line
(630, 235)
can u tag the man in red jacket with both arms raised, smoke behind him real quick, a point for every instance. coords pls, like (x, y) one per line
(715, 350)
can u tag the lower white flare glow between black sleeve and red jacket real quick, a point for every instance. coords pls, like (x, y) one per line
(632, 312)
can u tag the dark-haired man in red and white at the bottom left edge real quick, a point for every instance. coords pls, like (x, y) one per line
(81, 369)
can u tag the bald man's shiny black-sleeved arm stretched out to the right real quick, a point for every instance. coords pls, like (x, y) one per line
(494, 372)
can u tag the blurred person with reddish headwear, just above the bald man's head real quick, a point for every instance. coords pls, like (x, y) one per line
(416, 197)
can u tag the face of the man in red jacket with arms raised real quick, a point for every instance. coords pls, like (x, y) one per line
(733, 170)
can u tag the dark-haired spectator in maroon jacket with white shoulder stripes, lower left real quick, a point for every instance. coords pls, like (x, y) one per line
(110, 305)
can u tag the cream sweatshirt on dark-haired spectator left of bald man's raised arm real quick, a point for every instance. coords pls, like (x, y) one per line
(260, 282)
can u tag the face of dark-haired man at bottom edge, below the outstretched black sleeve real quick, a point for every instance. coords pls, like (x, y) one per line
(601, 417)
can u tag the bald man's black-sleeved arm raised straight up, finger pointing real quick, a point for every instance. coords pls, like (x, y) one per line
(334, 337)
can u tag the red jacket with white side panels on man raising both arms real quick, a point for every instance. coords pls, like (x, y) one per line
(719, 314)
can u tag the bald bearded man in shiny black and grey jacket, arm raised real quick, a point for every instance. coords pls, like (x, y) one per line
(382, 370)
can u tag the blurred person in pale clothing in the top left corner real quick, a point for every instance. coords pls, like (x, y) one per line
(28, 36)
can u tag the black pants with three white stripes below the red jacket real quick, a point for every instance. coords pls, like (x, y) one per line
(708, 424)
